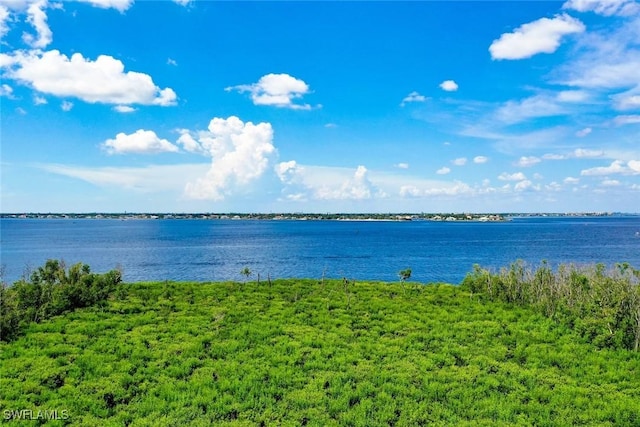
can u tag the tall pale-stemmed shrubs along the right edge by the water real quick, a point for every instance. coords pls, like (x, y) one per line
(602, 305)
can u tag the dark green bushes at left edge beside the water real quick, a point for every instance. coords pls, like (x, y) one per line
(51, 290)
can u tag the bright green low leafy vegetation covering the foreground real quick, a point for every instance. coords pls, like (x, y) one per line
(301, 352)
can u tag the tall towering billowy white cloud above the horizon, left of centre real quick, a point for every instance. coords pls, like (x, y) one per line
(240, 154)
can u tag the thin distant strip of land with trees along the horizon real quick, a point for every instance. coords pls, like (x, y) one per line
(477, 217)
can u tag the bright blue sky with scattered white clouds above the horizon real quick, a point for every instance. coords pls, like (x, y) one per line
(194, 106)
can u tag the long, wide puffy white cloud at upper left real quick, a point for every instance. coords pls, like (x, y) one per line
(99, 81)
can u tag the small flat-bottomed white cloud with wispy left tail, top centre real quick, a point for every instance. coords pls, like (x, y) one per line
(279, 90)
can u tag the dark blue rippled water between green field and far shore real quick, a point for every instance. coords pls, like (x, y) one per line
(217, 250)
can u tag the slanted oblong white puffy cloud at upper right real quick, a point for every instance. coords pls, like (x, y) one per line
(541, 36)
